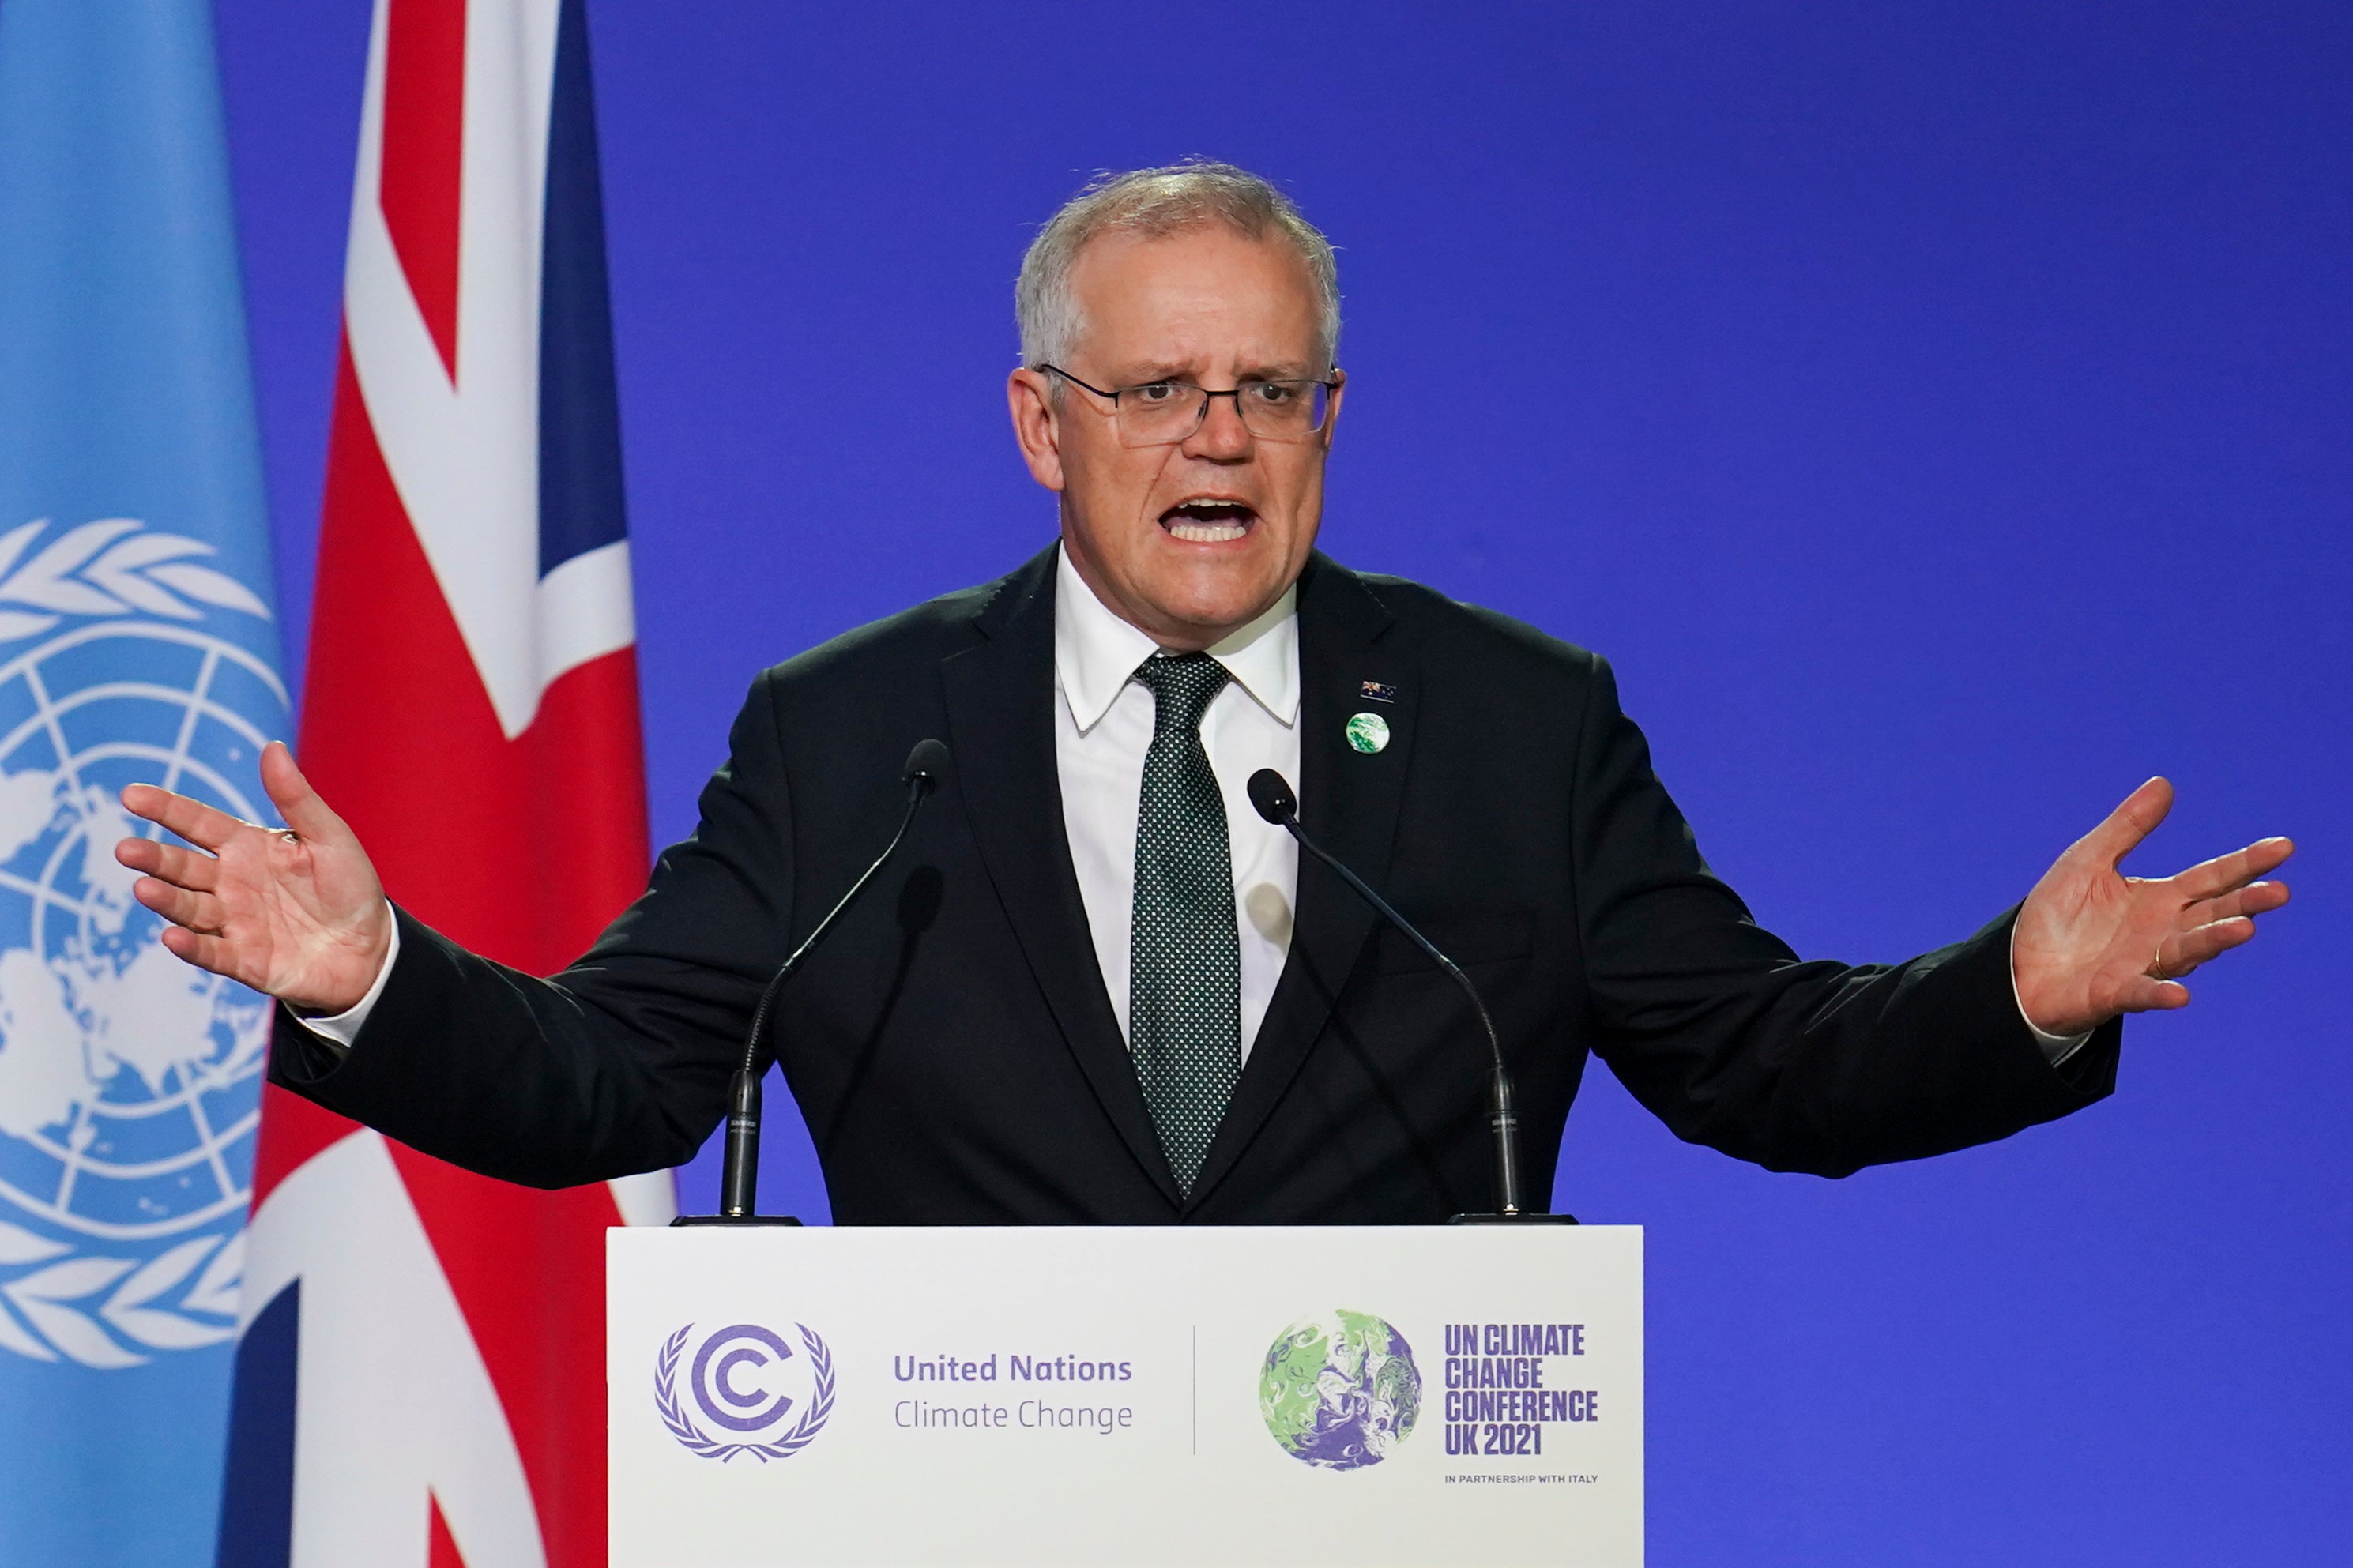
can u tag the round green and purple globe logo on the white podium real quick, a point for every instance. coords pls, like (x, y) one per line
(1340, 1391)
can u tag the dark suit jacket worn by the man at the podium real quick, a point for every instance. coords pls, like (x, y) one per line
(956, 1054)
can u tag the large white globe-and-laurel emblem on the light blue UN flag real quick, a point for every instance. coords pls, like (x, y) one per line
(128, 1080)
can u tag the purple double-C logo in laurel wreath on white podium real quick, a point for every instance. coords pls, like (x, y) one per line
(738, 1383)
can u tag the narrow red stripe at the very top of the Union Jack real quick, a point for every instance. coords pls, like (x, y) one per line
(425, 154)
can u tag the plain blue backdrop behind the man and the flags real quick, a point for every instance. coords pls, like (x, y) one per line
(1940, 413)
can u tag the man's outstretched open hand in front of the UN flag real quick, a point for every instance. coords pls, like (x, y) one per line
(295, 913)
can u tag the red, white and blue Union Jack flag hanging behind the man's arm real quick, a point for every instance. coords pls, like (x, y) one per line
(420, 1369)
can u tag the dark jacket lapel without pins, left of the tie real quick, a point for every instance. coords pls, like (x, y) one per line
(1001, 716)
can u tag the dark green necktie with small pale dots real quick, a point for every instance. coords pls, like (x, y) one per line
(1185, 956)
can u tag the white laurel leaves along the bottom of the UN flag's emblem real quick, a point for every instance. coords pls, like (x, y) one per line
(51, 1320)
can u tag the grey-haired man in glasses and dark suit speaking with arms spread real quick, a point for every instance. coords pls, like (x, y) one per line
(1095, 986)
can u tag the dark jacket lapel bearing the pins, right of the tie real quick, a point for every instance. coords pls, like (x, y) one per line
(1347, 803)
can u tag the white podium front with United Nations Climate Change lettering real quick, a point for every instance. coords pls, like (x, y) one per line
(1107, 1398)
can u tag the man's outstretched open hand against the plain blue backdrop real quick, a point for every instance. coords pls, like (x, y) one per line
(2095, 944)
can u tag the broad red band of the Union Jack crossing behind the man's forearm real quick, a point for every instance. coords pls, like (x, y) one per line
(521, 850)
